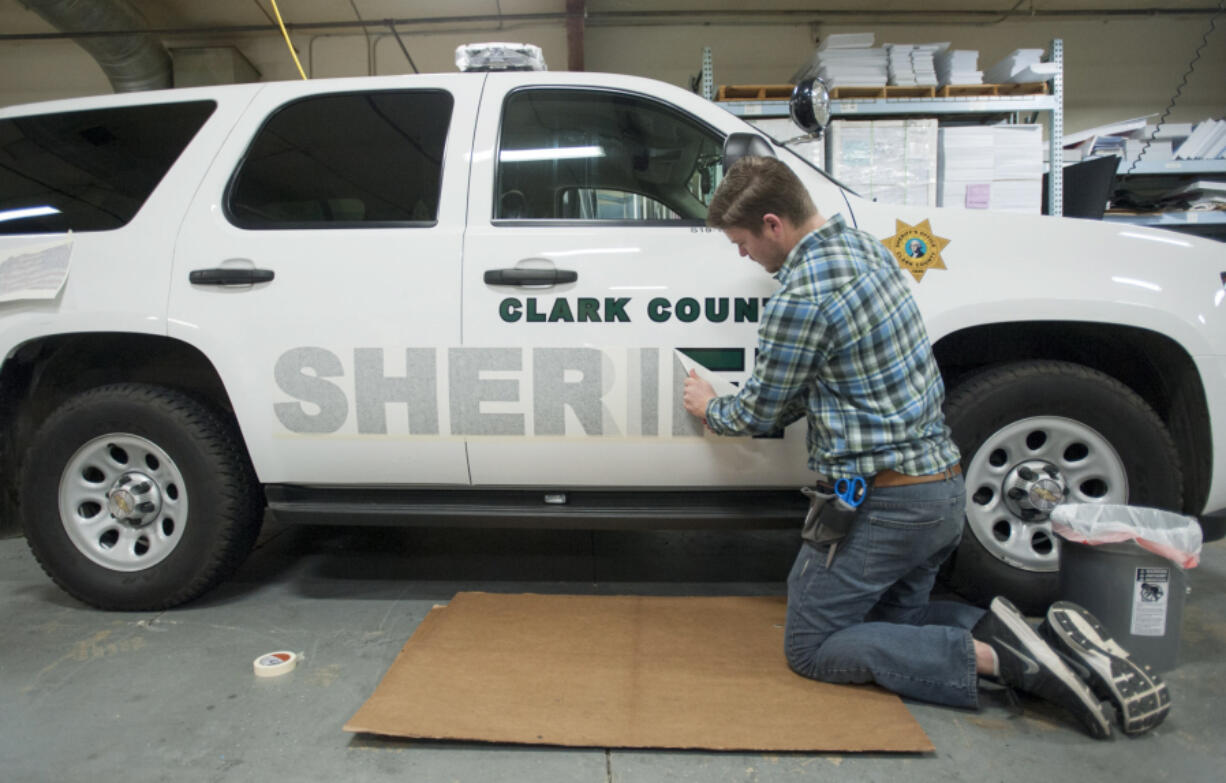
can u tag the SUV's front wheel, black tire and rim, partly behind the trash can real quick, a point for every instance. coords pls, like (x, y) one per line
(1104, 442)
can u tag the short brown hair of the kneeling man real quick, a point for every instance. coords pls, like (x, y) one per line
(756, 187)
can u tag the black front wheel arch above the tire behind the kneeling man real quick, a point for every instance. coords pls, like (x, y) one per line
(1156, 367)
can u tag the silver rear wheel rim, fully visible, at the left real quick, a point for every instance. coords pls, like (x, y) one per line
(123, 503)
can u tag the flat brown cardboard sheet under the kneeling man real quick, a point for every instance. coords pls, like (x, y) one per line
(623, 672)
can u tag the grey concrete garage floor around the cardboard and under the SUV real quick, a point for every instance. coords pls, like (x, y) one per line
(100, 697)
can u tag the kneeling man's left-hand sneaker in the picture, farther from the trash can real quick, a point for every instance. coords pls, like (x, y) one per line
(1029, 665)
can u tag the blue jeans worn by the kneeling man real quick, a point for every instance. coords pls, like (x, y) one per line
(869, 618)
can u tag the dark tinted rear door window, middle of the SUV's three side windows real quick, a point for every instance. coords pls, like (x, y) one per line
(346, 161)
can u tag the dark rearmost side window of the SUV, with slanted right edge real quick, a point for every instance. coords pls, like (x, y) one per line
(89, 171)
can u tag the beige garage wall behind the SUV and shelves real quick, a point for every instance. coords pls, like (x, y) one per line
(1114, 69)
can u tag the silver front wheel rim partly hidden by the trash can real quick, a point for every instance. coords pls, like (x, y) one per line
(1013, 477)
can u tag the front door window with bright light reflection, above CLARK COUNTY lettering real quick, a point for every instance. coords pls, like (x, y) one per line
(599, 156)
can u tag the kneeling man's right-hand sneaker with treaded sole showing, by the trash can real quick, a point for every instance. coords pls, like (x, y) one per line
(1140, 694)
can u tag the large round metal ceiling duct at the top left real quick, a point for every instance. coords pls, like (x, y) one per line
(133, 62)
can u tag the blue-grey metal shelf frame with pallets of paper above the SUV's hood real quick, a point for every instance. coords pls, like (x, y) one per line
(1053, 106)
